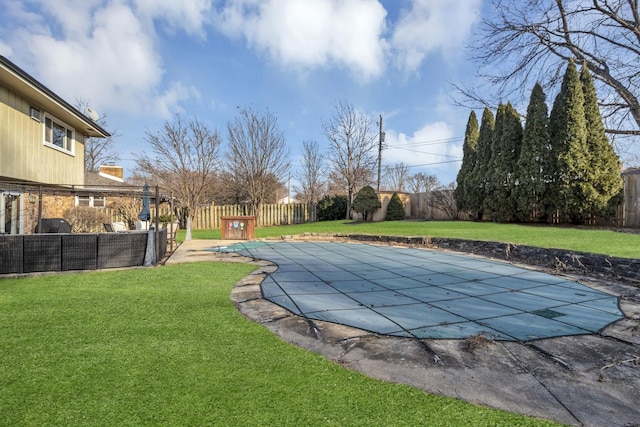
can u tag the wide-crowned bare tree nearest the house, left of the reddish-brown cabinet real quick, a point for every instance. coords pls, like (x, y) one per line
(185, 157)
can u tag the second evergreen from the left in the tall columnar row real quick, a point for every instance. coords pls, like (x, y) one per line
(475, 181)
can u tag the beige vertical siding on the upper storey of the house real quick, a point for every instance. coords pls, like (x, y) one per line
(23, 156)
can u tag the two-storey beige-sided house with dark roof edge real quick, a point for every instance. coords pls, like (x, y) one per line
(41, 145)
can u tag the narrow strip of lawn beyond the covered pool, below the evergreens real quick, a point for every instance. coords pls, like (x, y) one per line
(583, 239)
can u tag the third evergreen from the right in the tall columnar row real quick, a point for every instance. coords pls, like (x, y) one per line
(533, 164)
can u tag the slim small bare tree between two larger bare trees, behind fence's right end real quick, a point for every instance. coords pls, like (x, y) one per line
(310, 177)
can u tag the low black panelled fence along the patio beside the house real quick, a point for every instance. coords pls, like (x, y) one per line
(31, 253)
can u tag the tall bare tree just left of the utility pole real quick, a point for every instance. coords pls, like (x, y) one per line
(352, 147)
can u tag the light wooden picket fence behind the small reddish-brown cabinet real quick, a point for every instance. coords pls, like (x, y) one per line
(209, 217)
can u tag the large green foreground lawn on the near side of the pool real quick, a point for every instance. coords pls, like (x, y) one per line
(165, 346)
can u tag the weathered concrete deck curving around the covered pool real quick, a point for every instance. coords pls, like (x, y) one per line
(590, 379)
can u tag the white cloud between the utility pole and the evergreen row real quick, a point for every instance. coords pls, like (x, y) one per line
(433, 148)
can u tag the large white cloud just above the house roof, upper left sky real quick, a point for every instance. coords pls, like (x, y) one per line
(112, 64)
